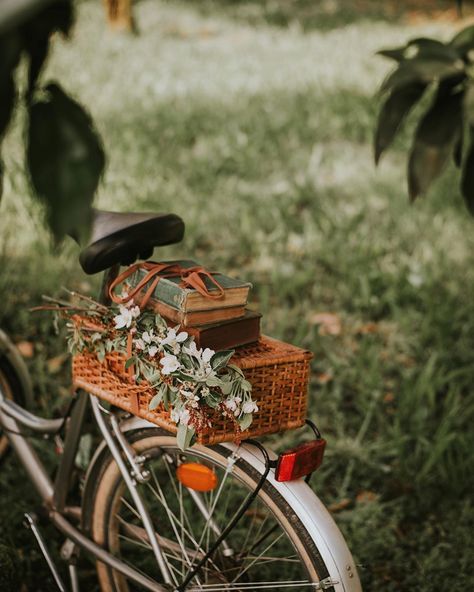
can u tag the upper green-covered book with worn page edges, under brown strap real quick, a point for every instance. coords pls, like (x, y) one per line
(170, 292)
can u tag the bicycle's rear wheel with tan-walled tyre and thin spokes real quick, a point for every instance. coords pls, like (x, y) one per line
(269, 549)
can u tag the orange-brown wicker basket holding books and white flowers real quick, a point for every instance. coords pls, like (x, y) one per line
(278, 373)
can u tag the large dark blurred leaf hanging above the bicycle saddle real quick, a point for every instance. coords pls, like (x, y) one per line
(65, 160)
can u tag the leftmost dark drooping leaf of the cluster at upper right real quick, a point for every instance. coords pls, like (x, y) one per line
(392, 114)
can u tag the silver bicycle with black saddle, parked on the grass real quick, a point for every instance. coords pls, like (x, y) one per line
(139, 523)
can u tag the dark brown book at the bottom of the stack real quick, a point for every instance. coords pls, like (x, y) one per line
(228, 334)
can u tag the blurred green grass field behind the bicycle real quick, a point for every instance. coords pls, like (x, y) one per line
(257, 131)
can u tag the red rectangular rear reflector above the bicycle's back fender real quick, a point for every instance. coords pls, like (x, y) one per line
(300, 461)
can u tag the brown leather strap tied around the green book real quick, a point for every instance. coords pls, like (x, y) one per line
(191, 277)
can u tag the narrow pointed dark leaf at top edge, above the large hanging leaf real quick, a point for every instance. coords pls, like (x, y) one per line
(56, 17)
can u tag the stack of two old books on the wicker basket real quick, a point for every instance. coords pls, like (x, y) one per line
(219, 324)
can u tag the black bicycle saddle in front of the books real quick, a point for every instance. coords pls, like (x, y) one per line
(122, 238)
